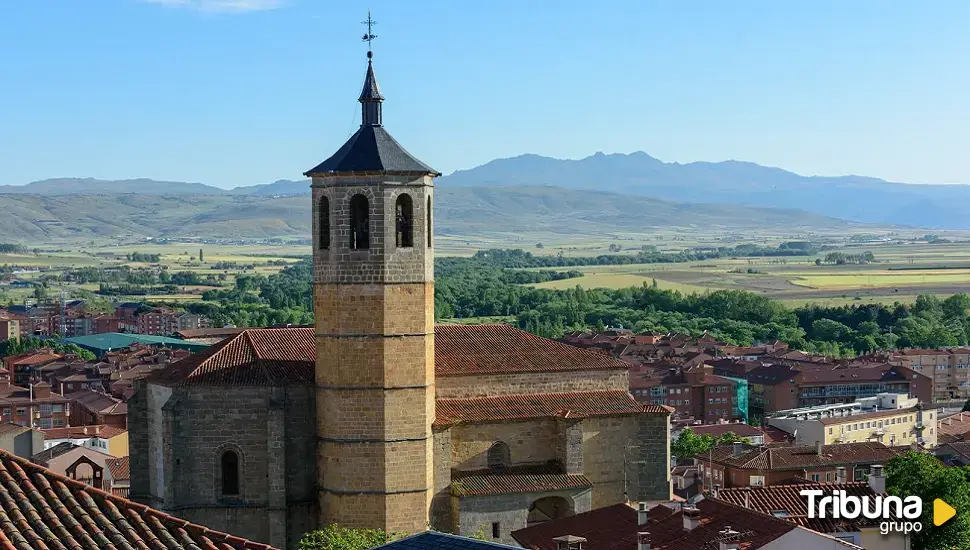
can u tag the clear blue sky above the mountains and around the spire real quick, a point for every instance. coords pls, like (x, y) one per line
(239, 92)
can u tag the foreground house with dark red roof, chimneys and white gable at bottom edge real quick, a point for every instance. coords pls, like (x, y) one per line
(712, 524)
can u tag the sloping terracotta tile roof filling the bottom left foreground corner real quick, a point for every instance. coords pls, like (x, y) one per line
(41, 509)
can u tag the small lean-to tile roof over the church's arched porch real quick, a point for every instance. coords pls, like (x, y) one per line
(515, 479)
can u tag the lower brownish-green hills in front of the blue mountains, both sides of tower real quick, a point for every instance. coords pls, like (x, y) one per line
(461, 211)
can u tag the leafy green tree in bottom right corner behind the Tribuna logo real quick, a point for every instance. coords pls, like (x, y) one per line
(922, 475)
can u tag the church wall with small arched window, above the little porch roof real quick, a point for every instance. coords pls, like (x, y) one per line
(529, 442)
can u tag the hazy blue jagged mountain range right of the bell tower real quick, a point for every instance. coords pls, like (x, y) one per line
(854, 198)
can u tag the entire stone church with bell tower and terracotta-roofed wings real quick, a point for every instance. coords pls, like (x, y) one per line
(376, 418)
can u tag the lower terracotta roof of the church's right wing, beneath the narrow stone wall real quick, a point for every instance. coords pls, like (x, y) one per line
(515, 407)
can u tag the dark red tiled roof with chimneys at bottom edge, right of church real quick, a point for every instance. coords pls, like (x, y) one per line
(613, 528)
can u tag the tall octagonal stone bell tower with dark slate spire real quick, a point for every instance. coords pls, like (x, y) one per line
(373, 296)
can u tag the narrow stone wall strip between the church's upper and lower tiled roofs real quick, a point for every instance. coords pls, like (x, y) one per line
(531, 382)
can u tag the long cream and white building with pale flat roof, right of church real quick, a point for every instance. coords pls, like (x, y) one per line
(893, 419)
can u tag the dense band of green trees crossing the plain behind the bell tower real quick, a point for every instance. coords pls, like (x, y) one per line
(484, 285)
